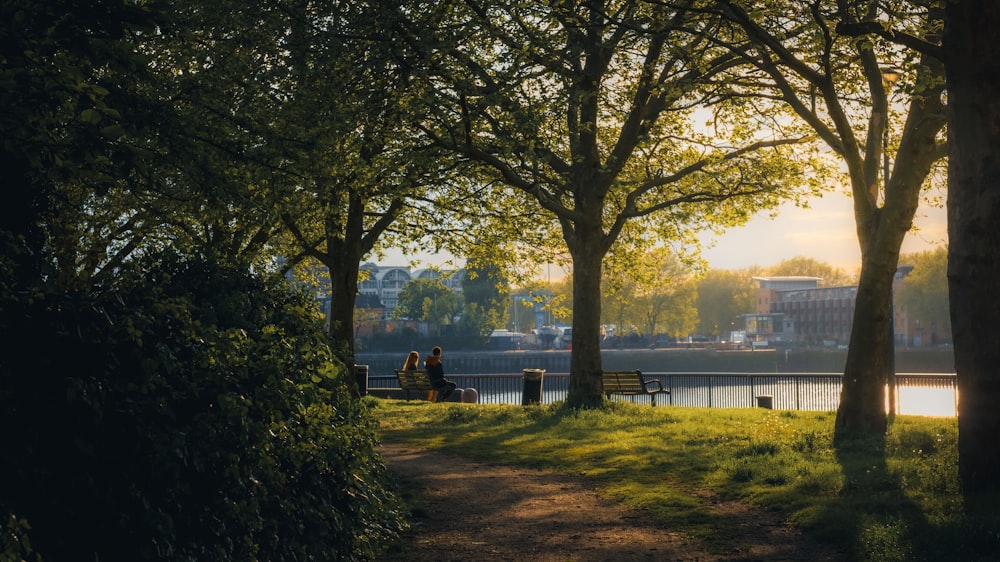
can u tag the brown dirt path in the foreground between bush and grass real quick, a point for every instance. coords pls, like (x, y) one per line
(469, 510)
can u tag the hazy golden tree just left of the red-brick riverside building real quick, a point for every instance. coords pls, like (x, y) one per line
(724, 296)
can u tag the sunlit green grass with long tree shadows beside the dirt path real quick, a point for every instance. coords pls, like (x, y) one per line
(891, 498)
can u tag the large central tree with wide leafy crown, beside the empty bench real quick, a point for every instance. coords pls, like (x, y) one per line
(583, 113)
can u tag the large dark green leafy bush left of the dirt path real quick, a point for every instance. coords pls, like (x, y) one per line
(195, 412)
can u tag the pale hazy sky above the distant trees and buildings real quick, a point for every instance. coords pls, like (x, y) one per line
(825, 232)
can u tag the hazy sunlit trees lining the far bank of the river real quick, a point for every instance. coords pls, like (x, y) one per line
(660, 296)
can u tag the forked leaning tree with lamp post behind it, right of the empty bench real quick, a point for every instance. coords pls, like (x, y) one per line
(821, 62)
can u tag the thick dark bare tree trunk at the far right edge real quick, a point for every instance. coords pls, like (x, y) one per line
(973, 70)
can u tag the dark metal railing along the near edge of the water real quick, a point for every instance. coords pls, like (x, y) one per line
(917, 393)
